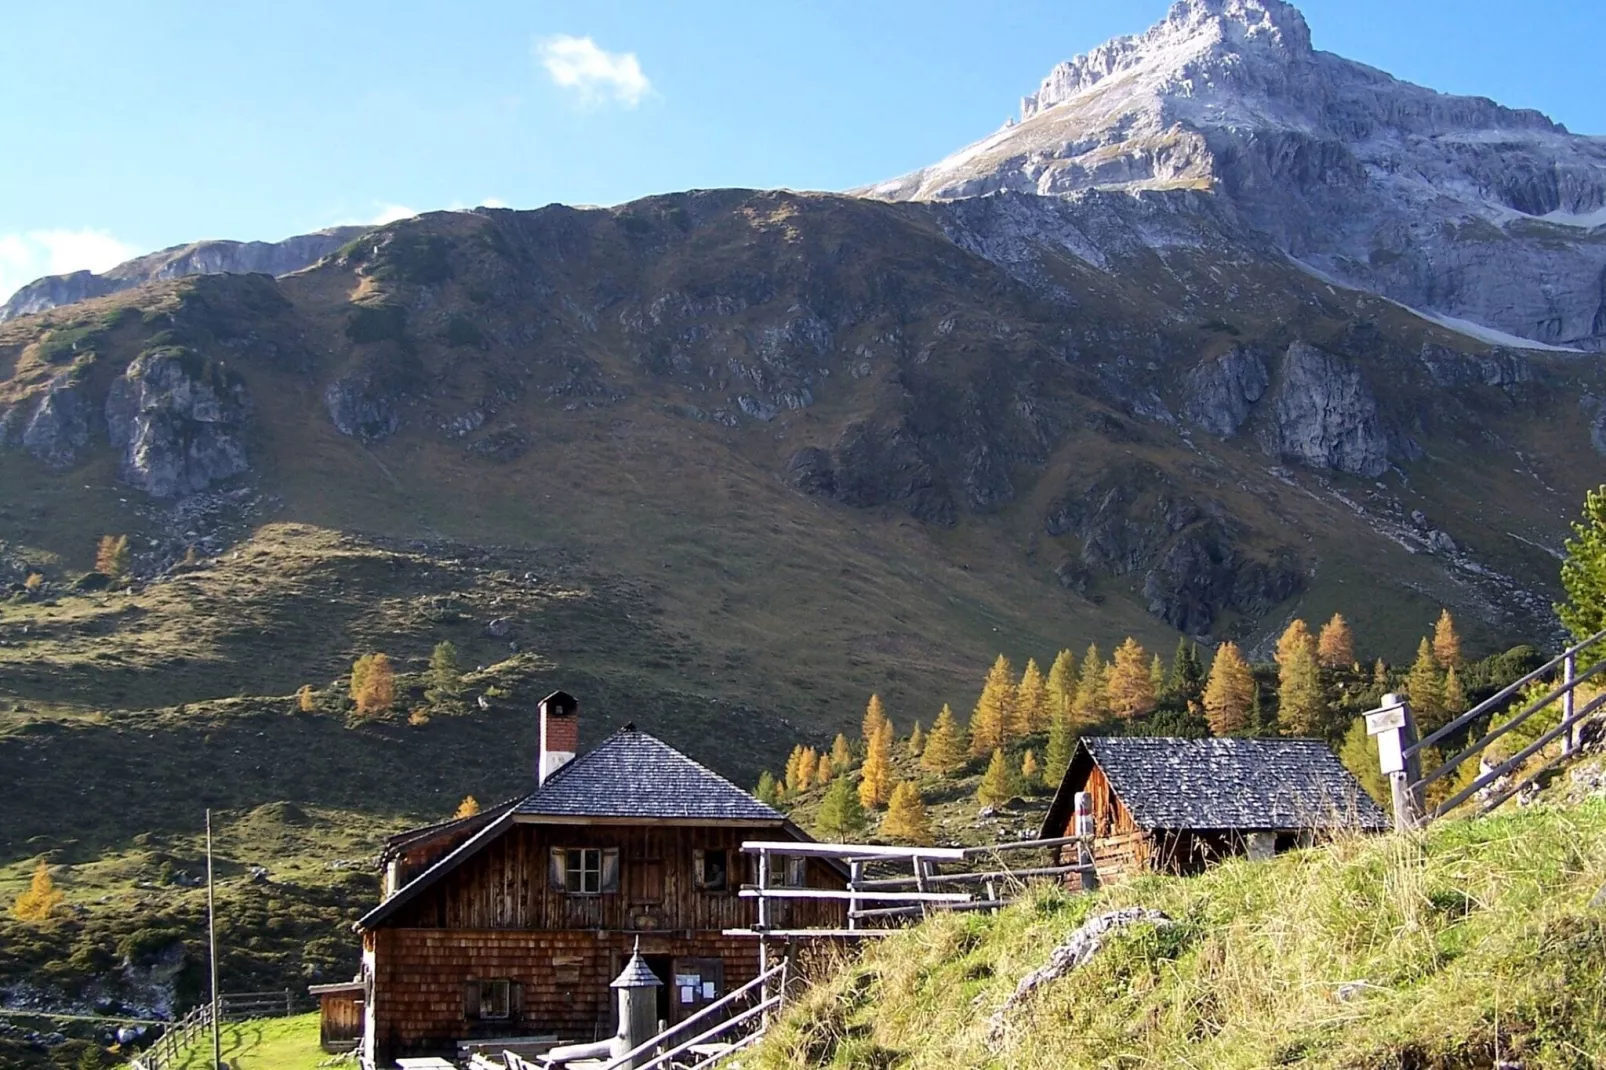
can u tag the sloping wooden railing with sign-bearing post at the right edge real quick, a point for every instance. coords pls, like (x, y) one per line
(1400, 749)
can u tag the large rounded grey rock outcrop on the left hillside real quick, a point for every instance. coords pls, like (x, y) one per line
(179, 423)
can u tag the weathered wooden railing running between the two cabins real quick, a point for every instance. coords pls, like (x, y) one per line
(907, 897)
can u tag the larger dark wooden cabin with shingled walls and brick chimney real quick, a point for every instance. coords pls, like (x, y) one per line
(512, 923)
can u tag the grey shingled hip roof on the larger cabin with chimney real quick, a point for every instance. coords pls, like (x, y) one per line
(635, 775)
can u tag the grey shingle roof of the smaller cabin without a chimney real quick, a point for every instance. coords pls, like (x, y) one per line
(1226, 785)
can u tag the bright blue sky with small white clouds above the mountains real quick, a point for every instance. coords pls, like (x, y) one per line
(131, 128)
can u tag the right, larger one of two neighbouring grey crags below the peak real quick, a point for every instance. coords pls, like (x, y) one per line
(1326, 417)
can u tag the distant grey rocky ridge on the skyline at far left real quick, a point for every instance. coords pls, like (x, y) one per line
(202, 258)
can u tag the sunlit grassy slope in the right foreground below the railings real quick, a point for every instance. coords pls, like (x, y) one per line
(1472, 944)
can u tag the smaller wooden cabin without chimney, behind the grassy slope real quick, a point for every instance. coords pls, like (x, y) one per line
(1178, 806)
